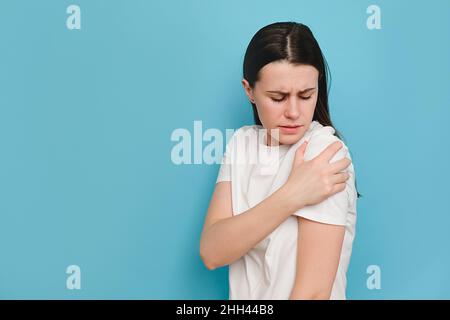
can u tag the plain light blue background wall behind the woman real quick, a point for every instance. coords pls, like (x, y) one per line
(86, 117)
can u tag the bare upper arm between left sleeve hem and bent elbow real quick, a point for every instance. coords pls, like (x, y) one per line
(220, 206)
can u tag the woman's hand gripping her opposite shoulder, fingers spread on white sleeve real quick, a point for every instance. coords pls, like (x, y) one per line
(311, 182)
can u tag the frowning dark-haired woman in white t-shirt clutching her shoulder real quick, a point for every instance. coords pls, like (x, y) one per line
(286, 225)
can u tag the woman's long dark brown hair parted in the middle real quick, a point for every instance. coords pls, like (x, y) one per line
(295, 43)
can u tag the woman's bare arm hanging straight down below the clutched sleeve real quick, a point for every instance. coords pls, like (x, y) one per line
(318, 252)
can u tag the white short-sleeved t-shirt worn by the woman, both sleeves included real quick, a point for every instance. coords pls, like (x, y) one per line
(256, 170)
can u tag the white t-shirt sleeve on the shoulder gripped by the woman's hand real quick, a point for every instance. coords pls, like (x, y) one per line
(332, 210)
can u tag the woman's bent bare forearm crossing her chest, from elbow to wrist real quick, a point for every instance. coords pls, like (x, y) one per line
(229, 239)
